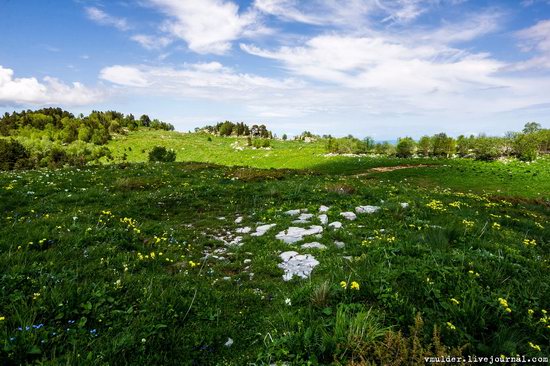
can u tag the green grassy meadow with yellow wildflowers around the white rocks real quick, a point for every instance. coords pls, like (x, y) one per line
(139, 263)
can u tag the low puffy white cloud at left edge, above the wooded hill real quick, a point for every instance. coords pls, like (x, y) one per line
(30, 91)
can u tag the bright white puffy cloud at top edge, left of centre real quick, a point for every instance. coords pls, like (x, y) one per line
(207, 26)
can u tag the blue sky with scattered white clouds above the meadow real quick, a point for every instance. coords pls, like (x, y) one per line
(379, 68)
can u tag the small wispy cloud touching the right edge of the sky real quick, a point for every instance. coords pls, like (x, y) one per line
(535, 39)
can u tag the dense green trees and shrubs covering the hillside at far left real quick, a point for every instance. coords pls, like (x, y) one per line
(54, 137)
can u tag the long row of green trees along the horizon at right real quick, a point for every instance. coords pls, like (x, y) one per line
(526, 145)
